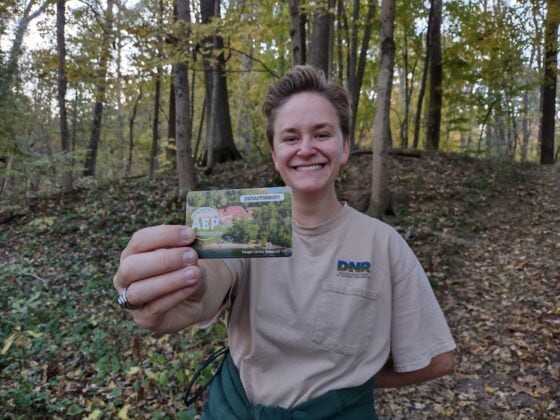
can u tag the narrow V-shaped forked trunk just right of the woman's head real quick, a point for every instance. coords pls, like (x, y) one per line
(357, 62)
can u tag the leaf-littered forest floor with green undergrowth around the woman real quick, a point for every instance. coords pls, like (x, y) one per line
(487, 233)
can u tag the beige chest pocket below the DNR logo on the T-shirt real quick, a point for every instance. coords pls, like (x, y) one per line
(344, 319)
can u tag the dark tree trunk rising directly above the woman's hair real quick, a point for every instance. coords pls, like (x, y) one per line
(321, 45)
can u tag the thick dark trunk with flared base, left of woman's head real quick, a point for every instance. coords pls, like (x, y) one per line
(220, 146)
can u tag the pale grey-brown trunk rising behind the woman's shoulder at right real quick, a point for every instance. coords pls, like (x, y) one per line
(380, 200)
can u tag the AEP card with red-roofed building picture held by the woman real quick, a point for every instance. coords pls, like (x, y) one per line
(246, 223)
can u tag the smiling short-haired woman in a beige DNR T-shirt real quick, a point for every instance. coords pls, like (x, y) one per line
(311, 333)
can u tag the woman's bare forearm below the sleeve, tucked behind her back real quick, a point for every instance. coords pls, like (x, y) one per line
(440, 365)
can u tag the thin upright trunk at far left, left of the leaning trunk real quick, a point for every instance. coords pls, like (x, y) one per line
(62, 84)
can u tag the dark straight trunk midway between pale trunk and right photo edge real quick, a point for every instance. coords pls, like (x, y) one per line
(436, 77)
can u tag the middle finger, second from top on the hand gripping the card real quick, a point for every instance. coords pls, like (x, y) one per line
(141, 266)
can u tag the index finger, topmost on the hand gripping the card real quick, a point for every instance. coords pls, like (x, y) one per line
(156, 237)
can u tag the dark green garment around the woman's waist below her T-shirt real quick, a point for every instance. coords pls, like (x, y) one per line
(227, 400)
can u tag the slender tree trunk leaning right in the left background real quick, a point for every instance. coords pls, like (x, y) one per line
(100, 88)
